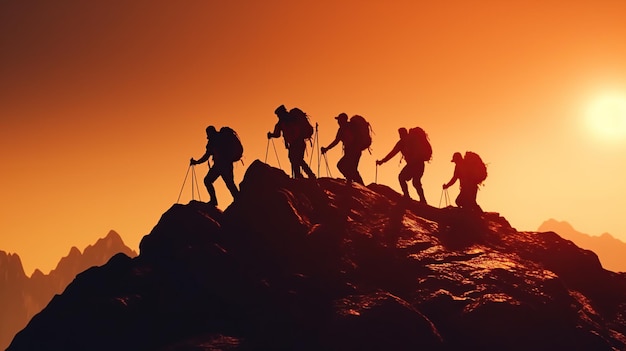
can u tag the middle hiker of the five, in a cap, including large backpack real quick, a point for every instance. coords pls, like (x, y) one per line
(355, 136)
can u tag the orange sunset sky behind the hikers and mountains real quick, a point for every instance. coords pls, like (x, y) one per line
(102, 103)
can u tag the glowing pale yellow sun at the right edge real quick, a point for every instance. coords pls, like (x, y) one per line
(606, 116)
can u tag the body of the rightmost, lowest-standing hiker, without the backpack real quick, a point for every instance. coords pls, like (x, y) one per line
(468, 184)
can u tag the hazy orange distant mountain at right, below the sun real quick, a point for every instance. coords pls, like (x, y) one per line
(610, 250)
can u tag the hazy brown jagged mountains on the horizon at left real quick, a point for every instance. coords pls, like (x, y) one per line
(21, 296)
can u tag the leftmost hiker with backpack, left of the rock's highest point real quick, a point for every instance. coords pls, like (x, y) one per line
(226, 149)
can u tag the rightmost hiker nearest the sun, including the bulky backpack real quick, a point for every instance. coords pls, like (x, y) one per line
(471, 172)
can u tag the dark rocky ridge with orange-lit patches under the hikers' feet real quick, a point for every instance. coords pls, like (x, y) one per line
(321, 265)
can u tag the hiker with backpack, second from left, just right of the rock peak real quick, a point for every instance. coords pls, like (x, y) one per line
(295, 129)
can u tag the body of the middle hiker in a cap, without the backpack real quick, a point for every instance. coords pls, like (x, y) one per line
(348, 165)
